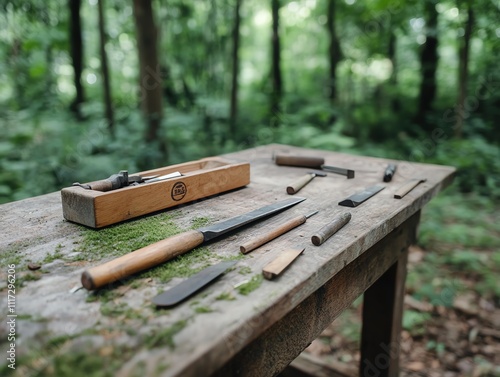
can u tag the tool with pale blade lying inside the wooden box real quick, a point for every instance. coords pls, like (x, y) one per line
(122, 179)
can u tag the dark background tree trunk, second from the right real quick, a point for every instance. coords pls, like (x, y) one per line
(428, 66)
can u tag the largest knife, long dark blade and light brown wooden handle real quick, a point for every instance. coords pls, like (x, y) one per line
(162, 251)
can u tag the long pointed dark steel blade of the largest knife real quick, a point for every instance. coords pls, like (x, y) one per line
(225, 226)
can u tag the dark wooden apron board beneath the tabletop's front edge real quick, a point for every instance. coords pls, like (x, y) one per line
(287, 338)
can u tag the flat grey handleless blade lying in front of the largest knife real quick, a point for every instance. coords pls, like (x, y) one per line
(191, 285)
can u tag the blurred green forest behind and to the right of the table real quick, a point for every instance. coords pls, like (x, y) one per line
(88, 88)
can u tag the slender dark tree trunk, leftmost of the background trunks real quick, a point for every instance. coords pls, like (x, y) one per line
(76, 52)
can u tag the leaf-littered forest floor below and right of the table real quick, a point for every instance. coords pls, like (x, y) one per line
(451, 324)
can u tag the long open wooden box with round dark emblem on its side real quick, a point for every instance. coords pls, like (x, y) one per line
(200, 179)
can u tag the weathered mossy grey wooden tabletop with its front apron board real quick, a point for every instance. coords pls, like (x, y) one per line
(240, 324)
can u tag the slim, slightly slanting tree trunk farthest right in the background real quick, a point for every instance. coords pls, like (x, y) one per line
(463, 73)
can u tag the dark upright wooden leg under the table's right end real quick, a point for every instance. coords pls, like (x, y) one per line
(382, 320)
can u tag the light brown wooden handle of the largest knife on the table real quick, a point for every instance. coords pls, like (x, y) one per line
(141, 259)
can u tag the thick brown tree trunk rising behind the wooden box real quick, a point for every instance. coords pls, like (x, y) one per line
(149, 70)
